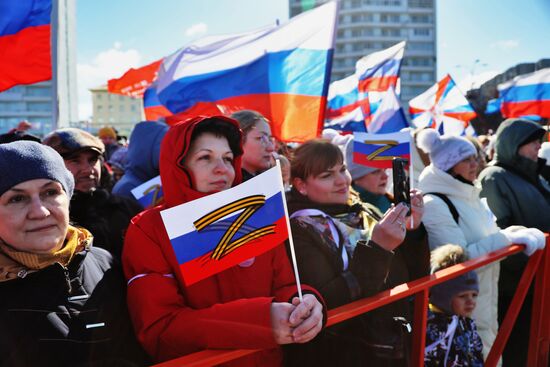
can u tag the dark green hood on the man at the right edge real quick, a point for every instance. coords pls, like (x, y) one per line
(510, 136)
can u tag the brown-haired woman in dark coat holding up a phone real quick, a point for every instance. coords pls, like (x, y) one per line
(348, 253)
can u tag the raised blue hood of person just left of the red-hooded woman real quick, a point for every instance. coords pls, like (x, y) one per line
(144, 150)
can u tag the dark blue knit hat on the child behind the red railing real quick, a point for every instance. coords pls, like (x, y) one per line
(441, 295)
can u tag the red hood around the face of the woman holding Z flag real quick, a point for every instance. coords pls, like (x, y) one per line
(177, 183)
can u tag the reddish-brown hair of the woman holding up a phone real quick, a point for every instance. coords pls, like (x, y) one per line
(315, 157)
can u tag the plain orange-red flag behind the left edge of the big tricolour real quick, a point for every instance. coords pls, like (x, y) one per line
(134, 82)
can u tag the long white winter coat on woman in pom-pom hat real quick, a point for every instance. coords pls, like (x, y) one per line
(476, 232)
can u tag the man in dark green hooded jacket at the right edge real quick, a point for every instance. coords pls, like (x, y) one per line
(517, 196)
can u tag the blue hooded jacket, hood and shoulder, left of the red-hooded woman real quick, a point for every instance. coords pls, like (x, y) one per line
(142, 158)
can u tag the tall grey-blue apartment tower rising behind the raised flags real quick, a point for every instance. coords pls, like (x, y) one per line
(366, 26)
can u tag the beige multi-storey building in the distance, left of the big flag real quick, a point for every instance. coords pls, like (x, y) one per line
(121, 112)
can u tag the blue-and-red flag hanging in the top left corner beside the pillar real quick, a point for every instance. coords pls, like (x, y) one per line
(25, 43)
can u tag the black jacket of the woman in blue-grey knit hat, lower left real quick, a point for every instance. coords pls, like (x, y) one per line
(74, 316)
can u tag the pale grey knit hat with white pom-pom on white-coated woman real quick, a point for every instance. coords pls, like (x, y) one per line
(444, 151)
